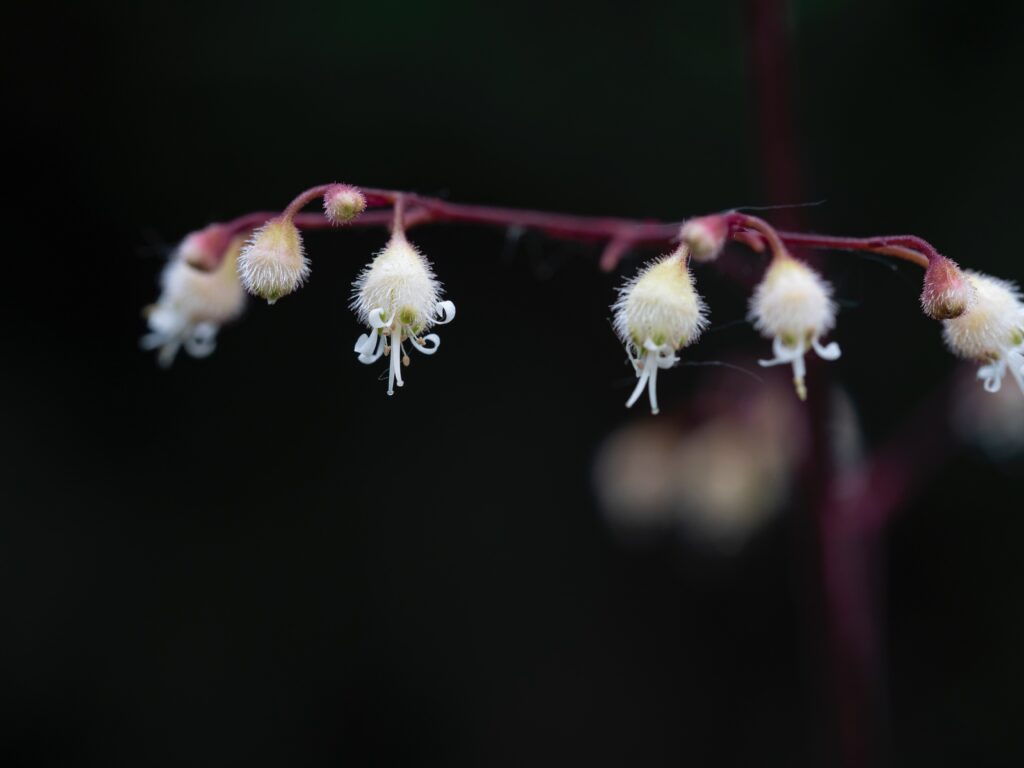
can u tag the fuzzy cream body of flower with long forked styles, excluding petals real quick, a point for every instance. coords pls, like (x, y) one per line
(661, 305)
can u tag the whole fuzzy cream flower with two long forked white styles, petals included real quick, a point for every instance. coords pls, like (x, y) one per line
(658, 313)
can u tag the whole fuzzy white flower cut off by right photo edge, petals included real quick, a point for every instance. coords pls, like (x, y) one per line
(992, 331)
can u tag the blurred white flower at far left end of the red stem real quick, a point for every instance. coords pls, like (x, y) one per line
(193, 307)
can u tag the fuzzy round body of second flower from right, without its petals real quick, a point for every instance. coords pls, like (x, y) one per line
(793, 303)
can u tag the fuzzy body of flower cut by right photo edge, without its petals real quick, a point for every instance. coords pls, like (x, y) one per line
(994, 324)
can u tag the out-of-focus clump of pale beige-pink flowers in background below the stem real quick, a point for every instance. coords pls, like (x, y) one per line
(718, 482)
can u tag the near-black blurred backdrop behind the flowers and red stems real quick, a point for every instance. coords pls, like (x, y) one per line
(260, 559)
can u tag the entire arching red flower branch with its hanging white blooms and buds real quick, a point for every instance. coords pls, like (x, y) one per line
(659, 312)
